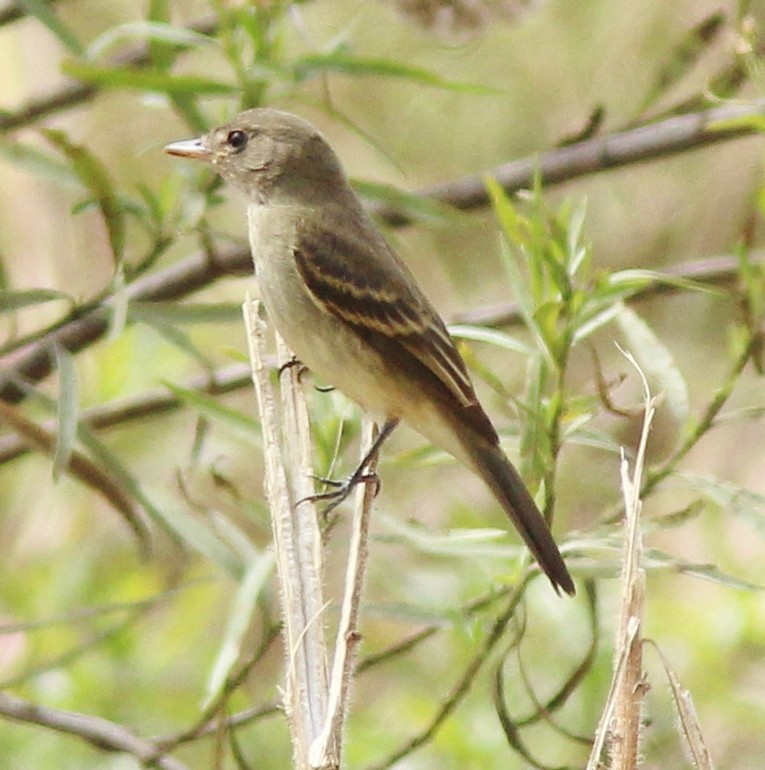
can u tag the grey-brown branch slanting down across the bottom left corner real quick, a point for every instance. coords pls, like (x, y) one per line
(98, 732)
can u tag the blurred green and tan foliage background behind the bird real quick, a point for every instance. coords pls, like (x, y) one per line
(89, 204)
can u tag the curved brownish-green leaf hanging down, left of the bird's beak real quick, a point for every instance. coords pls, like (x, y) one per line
(95, 177)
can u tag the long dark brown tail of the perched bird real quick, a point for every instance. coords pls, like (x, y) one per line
(492, 465)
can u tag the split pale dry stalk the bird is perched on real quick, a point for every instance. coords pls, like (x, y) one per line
(315, 702)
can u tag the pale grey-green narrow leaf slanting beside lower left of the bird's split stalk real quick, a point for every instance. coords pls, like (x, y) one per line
(239, 619)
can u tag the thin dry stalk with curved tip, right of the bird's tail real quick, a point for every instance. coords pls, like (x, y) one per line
(619, 726)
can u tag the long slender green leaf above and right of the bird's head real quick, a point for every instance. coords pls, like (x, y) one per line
(347, 64)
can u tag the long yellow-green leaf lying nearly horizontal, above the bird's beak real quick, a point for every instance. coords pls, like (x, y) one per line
(146, 80)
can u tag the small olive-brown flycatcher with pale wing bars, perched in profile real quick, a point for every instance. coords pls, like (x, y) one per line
(350, 310)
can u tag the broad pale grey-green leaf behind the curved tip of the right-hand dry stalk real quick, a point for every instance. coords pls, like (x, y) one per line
(656, 362)
